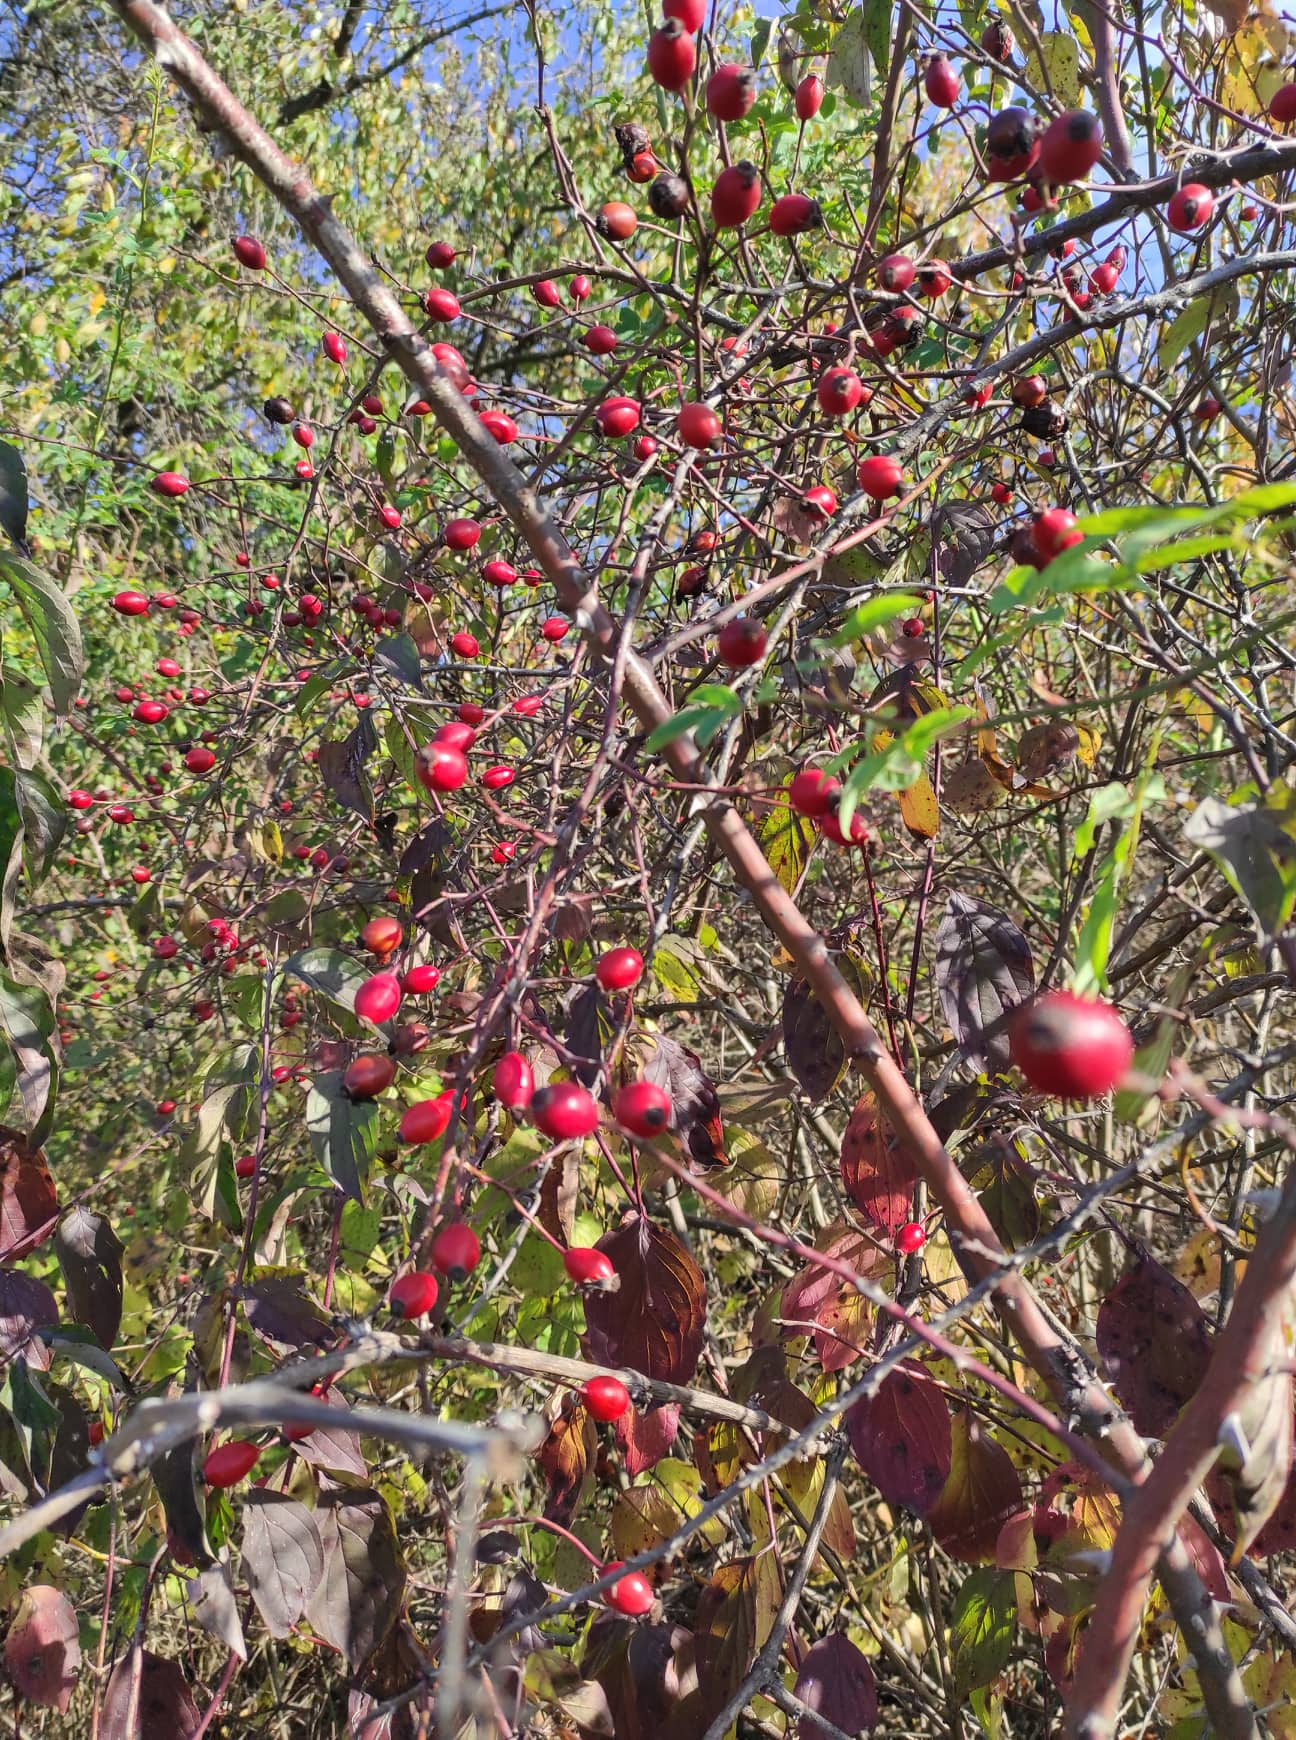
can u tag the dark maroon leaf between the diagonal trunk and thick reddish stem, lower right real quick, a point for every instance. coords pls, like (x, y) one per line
(1154, 1342)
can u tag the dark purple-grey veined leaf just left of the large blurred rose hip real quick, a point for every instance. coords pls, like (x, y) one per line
(984, 972)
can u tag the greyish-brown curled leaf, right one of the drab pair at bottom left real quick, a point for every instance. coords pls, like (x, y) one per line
(363, 1589)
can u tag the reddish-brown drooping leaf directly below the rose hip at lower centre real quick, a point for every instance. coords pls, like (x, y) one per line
(657, 1320)
